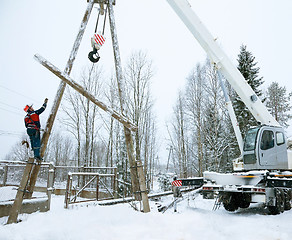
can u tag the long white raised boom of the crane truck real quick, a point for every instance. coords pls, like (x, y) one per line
(216, 54)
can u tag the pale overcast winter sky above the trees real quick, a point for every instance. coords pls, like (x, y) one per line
(49, 28)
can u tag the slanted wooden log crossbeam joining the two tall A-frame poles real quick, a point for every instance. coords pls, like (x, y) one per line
(64, 77)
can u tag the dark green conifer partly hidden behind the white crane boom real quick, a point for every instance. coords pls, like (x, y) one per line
(249, 70)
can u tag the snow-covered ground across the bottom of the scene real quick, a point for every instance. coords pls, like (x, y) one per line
(194, 220)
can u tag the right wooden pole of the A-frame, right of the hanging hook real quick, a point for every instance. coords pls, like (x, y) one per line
(138, 180)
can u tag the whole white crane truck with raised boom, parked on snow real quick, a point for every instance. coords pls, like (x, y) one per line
(266, 176)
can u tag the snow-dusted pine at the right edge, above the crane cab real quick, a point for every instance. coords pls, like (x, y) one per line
(278, 103)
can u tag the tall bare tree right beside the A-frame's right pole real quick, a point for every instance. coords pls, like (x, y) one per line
(138, 74)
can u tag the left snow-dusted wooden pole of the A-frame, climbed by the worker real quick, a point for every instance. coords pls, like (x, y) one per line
(58, 98)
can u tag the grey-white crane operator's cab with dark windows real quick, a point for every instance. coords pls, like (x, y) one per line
(265, 148)
